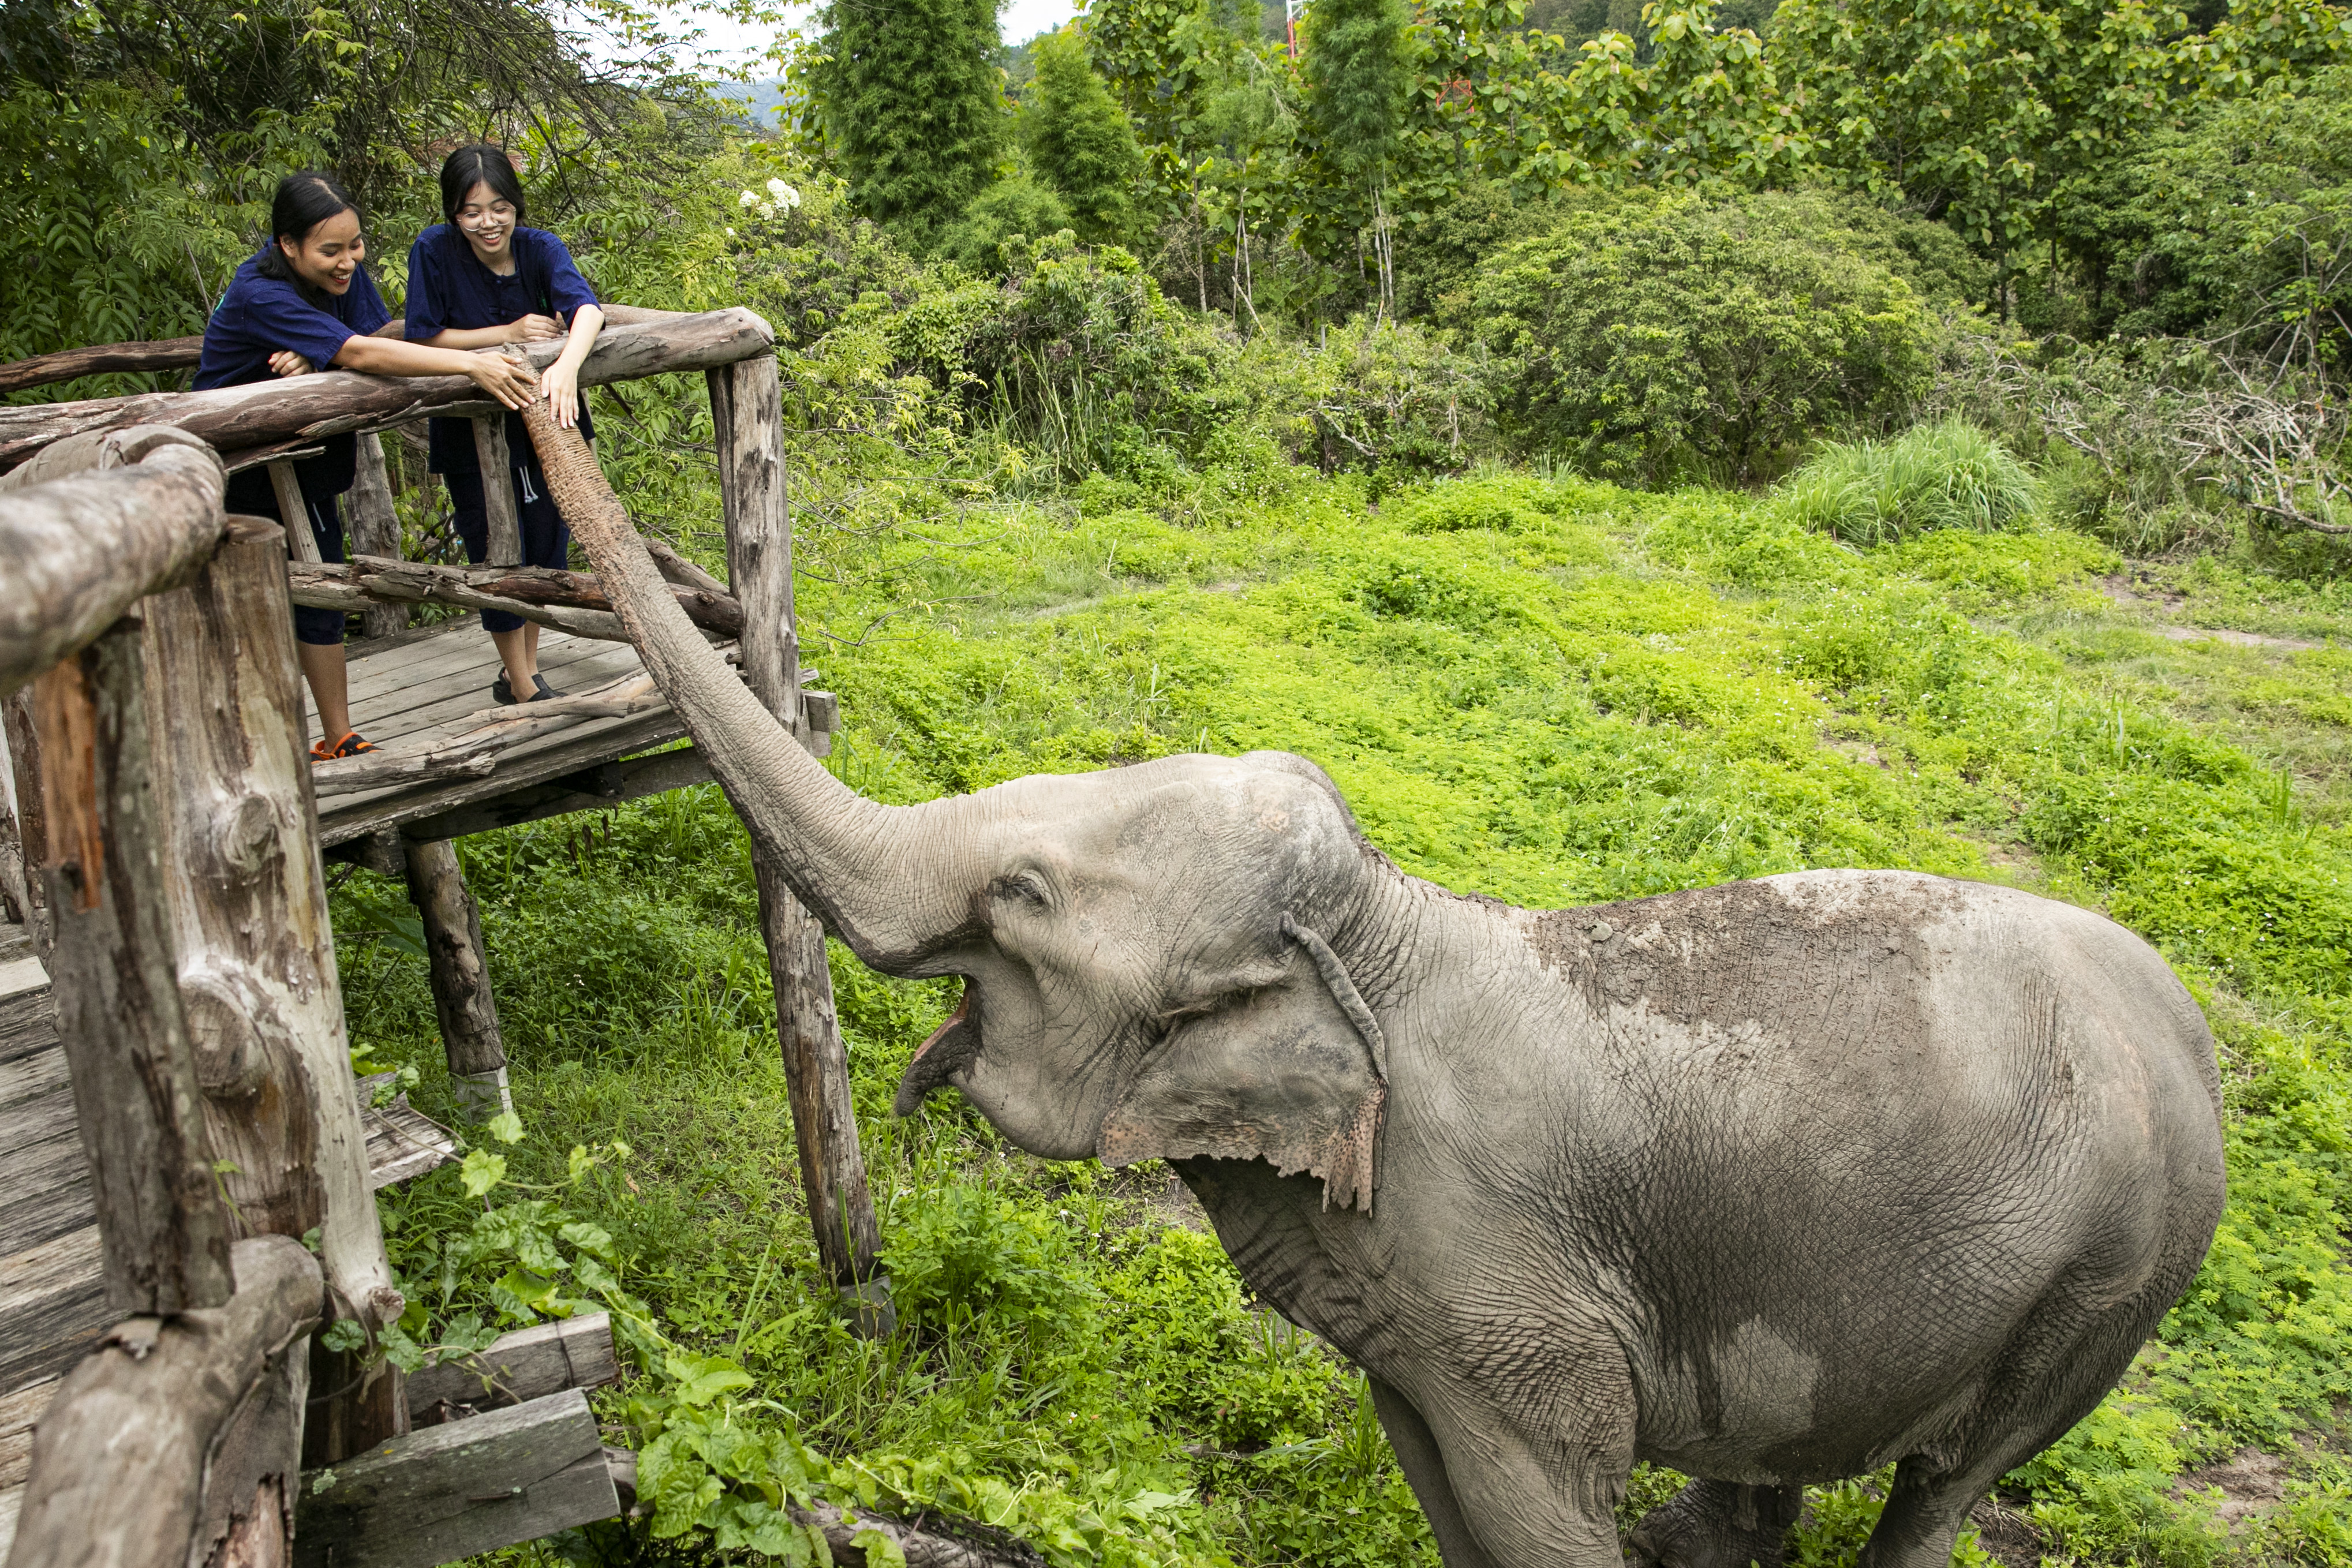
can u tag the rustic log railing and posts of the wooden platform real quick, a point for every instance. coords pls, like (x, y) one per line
(173, 883)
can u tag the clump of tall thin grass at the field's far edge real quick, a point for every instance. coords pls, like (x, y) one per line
(1946, 476)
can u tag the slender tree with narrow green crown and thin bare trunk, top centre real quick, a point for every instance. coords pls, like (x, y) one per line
(1358, 74)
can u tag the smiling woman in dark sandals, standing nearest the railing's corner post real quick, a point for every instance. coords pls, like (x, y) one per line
(481, 279)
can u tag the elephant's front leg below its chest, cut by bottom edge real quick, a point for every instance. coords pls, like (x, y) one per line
(1516, 1489)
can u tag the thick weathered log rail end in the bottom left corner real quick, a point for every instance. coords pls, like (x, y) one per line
(159, 1447)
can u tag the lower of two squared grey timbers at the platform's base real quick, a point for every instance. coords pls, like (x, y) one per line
(460, 1489)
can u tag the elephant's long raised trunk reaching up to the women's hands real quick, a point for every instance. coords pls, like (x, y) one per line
(841, 852)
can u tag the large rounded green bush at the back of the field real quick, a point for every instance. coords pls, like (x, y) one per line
(1659, 337)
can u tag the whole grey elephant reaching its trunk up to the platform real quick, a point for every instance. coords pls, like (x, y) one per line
(1770, 1184)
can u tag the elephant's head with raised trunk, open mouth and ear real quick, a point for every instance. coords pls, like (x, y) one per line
(1144, 951)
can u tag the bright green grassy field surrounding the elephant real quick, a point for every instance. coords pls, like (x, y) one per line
(1539, 690)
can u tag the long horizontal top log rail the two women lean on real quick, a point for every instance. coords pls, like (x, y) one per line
(330, 403)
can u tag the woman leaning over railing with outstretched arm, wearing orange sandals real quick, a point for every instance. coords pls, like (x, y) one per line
(305, 304)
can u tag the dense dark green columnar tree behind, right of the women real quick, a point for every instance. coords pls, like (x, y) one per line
(914, 102)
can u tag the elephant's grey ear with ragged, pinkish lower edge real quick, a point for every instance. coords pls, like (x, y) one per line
(1290, 1073)
